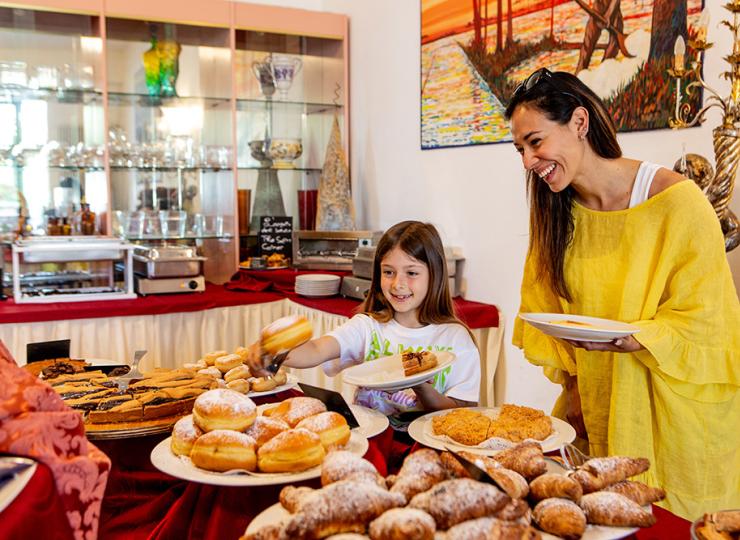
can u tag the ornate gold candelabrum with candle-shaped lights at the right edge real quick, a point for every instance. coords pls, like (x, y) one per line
(726, 137)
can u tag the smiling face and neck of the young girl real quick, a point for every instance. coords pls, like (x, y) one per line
(405, 283)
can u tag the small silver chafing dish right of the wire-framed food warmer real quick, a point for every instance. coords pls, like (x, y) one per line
(167, 261)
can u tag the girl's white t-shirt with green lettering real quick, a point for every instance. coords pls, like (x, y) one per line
(363, 338)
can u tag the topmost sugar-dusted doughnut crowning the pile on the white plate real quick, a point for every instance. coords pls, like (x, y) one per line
(223, 408)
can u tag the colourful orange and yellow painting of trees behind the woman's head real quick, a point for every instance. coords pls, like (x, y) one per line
(475, 52)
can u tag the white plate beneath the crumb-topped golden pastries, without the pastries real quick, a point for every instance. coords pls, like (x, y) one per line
(421, 431)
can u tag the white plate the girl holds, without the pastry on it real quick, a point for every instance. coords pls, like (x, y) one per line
(387, 373)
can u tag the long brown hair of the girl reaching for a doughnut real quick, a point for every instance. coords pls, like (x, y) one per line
(422, 242)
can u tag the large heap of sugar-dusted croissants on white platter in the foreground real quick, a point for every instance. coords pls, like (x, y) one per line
(433, 497)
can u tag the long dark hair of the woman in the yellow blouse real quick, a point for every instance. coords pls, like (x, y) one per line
(557, 95)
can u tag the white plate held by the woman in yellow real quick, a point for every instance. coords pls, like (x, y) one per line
(590, 328)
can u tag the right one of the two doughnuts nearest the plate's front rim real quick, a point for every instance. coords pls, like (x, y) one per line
(291, 451)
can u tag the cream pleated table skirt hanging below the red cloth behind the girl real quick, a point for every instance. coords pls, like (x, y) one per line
(175, 338)
